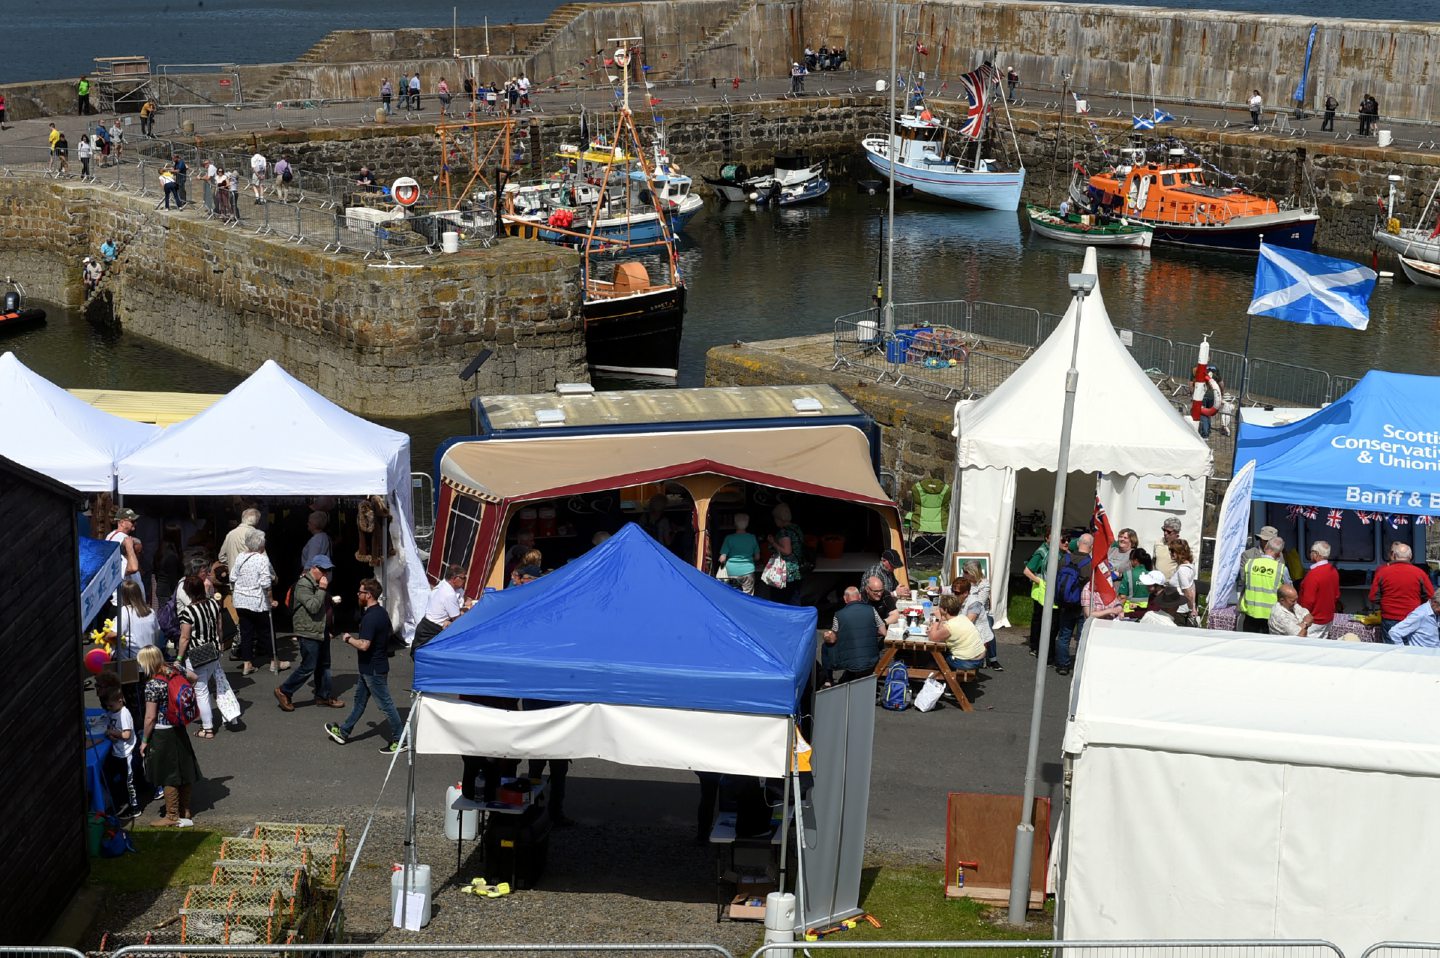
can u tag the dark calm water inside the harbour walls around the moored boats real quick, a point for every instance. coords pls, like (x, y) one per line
(760, 274)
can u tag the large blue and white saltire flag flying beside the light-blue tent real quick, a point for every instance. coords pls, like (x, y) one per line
(1310, 289)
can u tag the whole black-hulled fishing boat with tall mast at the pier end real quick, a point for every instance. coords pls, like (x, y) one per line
(633, 321)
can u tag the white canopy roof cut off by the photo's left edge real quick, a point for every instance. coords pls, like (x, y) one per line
(63, 437)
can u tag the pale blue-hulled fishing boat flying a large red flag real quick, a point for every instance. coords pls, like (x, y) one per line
(918, 152)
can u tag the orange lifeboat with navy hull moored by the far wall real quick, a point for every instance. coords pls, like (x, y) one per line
(1174, 198)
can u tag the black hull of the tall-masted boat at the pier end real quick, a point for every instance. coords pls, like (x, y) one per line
(637, 335)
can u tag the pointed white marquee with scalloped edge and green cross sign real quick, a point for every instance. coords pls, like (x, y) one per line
(1124, 430)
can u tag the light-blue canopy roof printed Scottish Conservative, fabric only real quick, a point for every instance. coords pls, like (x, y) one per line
(1376, 449)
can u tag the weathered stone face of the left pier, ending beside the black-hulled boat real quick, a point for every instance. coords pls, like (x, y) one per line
(378, 341)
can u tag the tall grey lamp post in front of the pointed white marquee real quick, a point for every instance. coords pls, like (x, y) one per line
(1081, 285)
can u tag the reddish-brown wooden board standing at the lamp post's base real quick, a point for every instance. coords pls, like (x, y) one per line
(981, 829)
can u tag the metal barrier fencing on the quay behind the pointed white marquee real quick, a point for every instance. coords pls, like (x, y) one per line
(862, 342)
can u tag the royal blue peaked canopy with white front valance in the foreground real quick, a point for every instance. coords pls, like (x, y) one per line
(663, 665)
